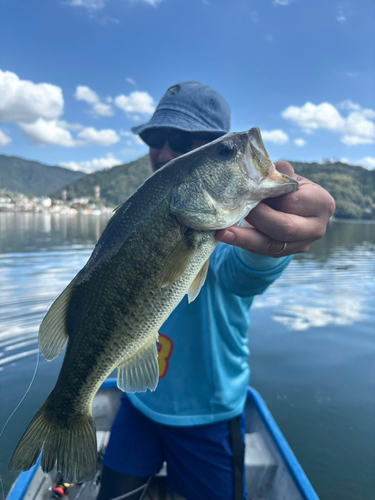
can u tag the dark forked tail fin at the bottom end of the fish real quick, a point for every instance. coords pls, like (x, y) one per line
(71, 447)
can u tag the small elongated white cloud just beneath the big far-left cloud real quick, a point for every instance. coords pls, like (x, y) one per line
(45, 132)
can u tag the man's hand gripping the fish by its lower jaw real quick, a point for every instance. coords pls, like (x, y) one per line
(296, 219)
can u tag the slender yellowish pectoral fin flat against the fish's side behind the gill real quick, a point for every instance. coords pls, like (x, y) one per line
(177, 261)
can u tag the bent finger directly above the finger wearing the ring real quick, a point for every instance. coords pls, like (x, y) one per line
(285, 226)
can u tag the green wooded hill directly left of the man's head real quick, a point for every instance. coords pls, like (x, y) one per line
(116, 183)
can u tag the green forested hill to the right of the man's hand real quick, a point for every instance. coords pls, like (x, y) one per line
(352, 187)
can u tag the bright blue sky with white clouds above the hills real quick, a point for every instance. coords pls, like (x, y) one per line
(76, 75)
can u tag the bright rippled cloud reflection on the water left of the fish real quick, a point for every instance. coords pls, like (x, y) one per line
(29, 283)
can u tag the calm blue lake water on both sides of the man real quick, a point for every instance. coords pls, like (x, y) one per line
(312, 342)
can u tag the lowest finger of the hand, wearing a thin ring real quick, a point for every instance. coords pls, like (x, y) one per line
(256, 242)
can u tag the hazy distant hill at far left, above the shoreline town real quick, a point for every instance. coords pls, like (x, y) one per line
(33, 178)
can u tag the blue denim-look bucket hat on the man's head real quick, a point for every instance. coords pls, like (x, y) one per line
(192, 107)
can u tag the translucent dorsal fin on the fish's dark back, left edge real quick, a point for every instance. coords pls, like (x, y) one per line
(52, 332)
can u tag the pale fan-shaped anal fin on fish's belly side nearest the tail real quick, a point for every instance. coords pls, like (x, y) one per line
(141, 371)
